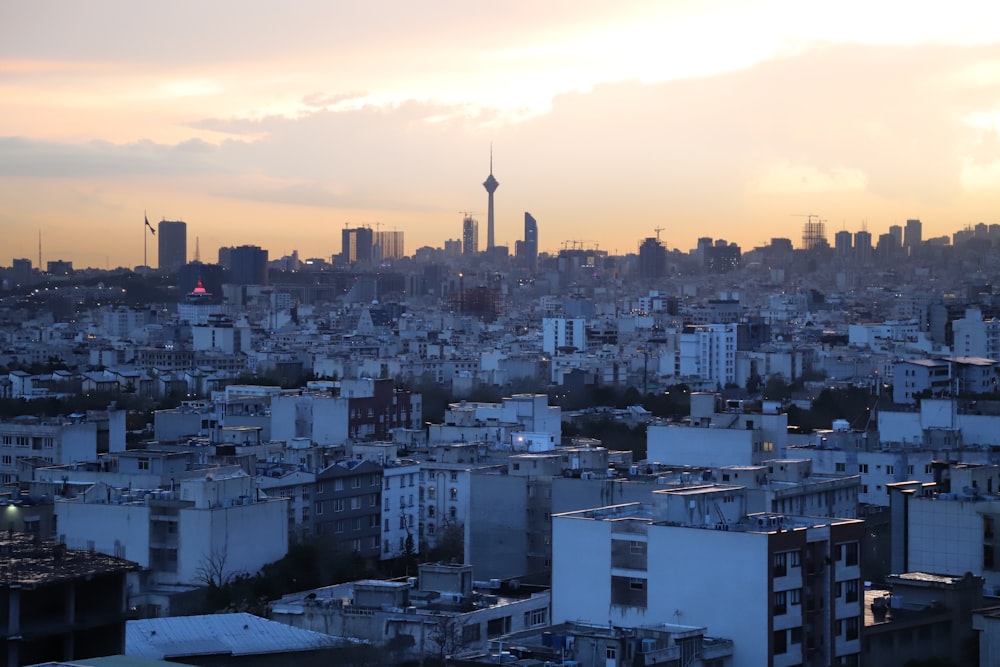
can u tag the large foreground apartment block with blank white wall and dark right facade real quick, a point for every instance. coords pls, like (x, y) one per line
(786, 589)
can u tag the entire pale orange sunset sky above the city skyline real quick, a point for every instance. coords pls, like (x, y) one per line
(278, 124)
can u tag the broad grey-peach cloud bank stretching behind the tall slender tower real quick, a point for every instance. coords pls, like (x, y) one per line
(861, 124)
